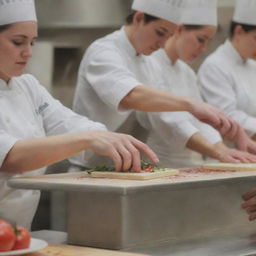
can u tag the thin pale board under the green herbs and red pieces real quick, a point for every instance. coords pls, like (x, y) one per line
(135, 175)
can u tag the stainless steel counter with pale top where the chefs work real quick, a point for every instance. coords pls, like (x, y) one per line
(190, 215)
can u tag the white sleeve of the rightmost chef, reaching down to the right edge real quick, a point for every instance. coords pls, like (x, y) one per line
(217, 89)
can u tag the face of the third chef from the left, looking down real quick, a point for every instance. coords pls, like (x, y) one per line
(192, 43)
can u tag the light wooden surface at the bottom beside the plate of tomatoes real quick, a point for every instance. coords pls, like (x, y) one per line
(68, 250)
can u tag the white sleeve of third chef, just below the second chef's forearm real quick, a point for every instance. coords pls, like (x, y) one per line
(174, 127)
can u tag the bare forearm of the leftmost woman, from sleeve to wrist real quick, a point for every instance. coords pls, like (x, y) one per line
(31, 154)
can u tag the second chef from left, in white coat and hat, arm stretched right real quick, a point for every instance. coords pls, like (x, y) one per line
(115, 73)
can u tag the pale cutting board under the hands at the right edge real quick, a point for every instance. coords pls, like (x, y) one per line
(231, 167)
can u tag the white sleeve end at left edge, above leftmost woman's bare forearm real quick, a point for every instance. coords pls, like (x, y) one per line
(7, 141)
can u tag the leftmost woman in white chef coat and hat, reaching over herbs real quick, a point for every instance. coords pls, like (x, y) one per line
(36, 130)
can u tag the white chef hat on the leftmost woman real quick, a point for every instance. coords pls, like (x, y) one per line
(12, 11)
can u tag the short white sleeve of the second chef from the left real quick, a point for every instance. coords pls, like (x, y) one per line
(109, 76)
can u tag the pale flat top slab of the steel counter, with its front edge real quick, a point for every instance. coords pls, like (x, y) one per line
(82, 182)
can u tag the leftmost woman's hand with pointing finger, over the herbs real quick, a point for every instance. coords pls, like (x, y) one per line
(123, 149)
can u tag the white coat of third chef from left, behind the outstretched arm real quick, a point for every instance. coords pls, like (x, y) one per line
(170, 132)
